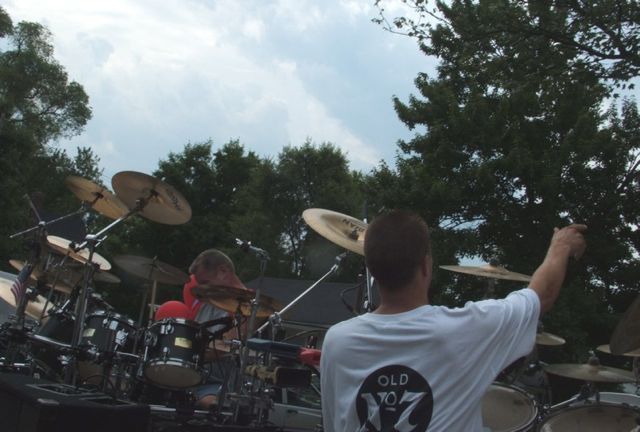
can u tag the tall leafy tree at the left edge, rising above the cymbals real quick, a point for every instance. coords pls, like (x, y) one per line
(38, 105)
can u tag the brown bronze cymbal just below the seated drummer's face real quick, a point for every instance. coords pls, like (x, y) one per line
(232, 299)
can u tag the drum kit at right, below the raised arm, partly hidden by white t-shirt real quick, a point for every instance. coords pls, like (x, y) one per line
(510, 404)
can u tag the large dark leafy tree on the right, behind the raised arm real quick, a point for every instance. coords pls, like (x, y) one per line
(517, 142)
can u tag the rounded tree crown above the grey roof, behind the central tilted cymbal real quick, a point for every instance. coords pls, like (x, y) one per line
(302, 177)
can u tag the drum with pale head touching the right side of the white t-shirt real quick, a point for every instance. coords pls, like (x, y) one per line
(508, 409)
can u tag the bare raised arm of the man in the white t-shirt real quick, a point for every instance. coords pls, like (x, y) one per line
(547, 279)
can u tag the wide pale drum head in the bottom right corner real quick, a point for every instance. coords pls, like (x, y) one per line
(592, 418)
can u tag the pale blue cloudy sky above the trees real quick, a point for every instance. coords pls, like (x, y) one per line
(162, 73)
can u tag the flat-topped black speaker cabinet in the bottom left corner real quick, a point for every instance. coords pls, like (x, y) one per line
(30, 405)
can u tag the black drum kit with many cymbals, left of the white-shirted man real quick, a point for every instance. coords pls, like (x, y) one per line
(64, 332)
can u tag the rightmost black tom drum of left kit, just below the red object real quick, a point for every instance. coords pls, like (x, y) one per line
(174, 349)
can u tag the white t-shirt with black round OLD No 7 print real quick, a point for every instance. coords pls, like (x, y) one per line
(425, 369)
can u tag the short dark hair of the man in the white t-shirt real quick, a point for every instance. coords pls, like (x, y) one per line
(395, 244)
